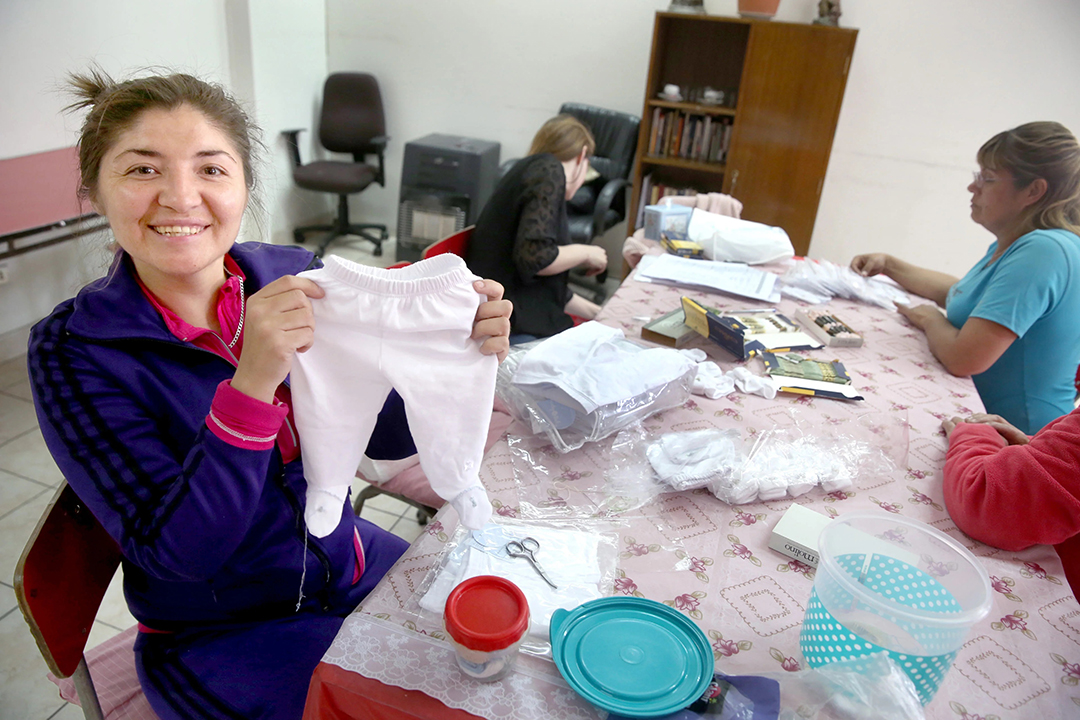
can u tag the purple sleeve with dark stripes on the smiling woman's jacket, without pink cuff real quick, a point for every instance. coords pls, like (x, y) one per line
(179, 519)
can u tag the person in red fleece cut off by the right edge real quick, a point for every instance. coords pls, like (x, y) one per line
(1014, 492)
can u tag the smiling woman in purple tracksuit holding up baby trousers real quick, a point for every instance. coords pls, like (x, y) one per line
(161, 391)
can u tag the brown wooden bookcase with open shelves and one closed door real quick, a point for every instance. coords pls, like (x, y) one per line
(789, 81)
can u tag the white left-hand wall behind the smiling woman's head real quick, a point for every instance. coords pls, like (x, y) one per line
(271, 53)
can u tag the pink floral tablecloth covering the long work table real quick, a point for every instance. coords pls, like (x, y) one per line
(1023, 661)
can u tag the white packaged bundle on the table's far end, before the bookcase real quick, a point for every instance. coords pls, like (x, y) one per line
(735, 240)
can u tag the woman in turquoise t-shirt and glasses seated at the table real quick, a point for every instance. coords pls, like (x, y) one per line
(1014, 321)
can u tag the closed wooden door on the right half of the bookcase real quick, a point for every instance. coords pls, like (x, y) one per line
(790, 101)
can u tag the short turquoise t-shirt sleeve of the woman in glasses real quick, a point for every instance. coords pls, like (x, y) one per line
(1028, 284)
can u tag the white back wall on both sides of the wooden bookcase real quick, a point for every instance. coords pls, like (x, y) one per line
(929, 84)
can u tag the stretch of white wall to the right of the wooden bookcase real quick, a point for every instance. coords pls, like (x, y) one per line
(930, 83)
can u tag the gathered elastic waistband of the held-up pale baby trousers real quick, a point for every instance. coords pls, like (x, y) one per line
(435, 275)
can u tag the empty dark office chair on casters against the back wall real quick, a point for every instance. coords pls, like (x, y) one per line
(352, 123)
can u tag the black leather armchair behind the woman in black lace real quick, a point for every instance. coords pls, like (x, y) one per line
(601, 205)
